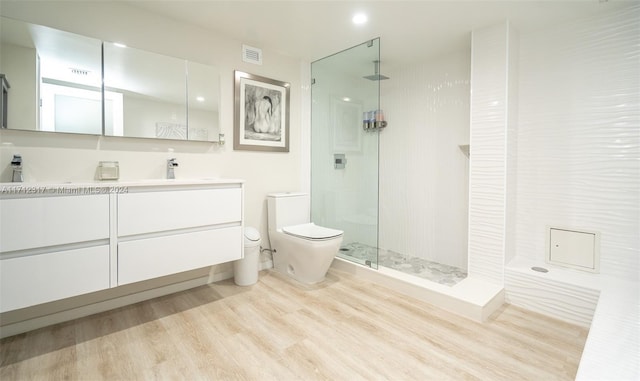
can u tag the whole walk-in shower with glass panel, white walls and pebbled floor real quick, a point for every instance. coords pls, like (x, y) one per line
(421, 158)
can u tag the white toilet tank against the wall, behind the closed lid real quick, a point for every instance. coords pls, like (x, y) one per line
(287, 209)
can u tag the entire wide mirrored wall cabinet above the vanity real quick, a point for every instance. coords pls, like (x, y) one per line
(55, 84)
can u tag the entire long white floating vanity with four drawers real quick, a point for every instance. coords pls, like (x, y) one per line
(59, 241)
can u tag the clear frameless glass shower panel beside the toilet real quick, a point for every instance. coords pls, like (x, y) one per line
(344, 154)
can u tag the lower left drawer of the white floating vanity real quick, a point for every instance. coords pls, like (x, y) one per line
(41, 278)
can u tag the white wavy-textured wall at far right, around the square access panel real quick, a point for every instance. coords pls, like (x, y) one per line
(579, 137)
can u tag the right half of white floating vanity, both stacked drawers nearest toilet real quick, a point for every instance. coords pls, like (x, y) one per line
(166, 231)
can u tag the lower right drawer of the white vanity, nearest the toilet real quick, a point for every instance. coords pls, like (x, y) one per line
(149, 258)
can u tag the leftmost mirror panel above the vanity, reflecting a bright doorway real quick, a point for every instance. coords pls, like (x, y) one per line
(57, 70)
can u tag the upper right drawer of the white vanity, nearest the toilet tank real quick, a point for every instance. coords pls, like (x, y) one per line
(150, 212)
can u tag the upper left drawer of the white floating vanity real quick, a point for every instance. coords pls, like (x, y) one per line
(33, 222)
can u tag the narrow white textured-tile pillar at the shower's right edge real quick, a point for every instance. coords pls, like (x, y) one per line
(493, 150)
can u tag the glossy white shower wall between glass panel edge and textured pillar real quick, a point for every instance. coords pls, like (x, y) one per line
(423, 172)
